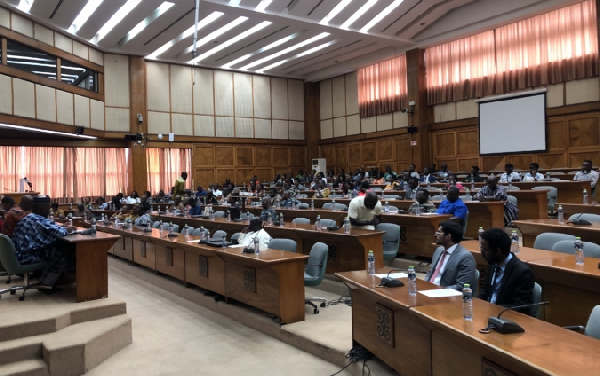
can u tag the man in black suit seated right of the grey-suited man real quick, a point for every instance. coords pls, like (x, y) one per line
(510, 281)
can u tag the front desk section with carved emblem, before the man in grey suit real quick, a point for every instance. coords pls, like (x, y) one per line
(383, 323)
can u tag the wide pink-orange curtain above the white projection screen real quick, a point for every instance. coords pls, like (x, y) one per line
(555, 47)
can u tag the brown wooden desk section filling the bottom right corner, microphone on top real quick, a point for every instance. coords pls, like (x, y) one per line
(543, 349)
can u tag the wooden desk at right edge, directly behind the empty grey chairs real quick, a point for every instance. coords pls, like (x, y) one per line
(530, 228)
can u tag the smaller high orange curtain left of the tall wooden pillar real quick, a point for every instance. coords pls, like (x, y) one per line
(382, 87)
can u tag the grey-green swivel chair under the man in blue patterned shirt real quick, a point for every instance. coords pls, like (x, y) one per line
(9, 261)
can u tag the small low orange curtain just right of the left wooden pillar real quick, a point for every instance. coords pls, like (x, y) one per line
(165, 166)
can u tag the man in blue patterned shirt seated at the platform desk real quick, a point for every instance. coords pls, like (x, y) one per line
(35, 241)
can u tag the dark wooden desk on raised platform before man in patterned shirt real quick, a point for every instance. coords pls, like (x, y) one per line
(91, 266)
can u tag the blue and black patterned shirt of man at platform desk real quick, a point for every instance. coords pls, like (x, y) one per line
(33, 237)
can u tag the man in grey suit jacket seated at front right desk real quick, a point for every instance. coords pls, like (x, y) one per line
(452, 265)
